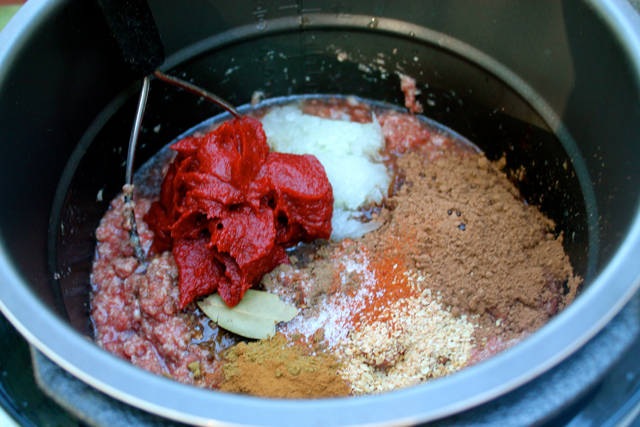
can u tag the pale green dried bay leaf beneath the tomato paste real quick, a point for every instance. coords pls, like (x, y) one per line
(254, 317)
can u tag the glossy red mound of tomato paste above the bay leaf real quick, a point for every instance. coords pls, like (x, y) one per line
(228, 208)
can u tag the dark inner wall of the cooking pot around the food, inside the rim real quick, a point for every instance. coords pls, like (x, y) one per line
(521, 80)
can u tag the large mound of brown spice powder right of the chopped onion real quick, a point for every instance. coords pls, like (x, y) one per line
(484, 252)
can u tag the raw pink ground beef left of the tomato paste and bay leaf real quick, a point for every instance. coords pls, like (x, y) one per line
(136, 315)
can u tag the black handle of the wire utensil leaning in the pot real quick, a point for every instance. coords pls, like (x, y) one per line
(136, 34)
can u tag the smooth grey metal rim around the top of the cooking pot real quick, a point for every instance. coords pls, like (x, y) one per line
(558, 339)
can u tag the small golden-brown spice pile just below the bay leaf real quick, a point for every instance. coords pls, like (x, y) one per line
(277, 368)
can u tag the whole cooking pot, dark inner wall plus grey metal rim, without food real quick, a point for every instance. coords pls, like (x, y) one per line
(554, 85)
